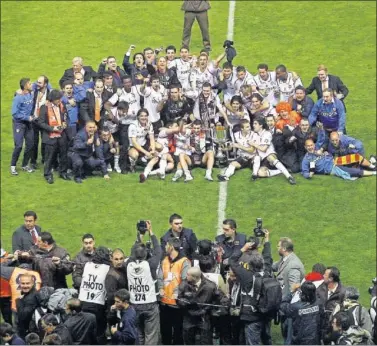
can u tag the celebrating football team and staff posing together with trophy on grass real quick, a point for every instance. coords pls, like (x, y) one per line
(171, 114)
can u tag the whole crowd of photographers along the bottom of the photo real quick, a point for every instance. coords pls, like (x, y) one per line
(176, 290)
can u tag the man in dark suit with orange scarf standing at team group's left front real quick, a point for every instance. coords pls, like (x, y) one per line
(52, 120)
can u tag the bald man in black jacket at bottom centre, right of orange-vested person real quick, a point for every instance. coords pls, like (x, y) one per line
(196, 289)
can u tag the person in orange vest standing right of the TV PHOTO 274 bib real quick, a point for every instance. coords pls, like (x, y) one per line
(172, 272)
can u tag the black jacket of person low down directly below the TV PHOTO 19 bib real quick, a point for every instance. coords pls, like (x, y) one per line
(82, 327)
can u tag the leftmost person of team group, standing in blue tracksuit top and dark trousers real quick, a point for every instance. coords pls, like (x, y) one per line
(22, 109)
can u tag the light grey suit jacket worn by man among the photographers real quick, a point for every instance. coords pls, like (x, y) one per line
(288, 273)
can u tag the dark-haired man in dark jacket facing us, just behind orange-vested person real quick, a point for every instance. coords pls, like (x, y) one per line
(186, 236)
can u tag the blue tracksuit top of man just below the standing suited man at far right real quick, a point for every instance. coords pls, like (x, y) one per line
(331, 115)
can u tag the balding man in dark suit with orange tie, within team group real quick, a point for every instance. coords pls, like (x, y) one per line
(91, 109)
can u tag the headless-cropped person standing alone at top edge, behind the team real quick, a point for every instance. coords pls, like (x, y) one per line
(196, 10)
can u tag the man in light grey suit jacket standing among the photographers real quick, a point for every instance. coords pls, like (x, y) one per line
(289, 272)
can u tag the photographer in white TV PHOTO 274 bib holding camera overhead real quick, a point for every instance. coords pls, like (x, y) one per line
(141, 271)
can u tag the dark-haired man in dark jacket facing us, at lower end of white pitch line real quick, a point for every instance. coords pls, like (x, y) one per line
(230, 241)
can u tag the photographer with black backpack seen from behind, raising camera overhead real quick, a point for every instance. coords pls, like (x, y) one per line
(260, 294)
